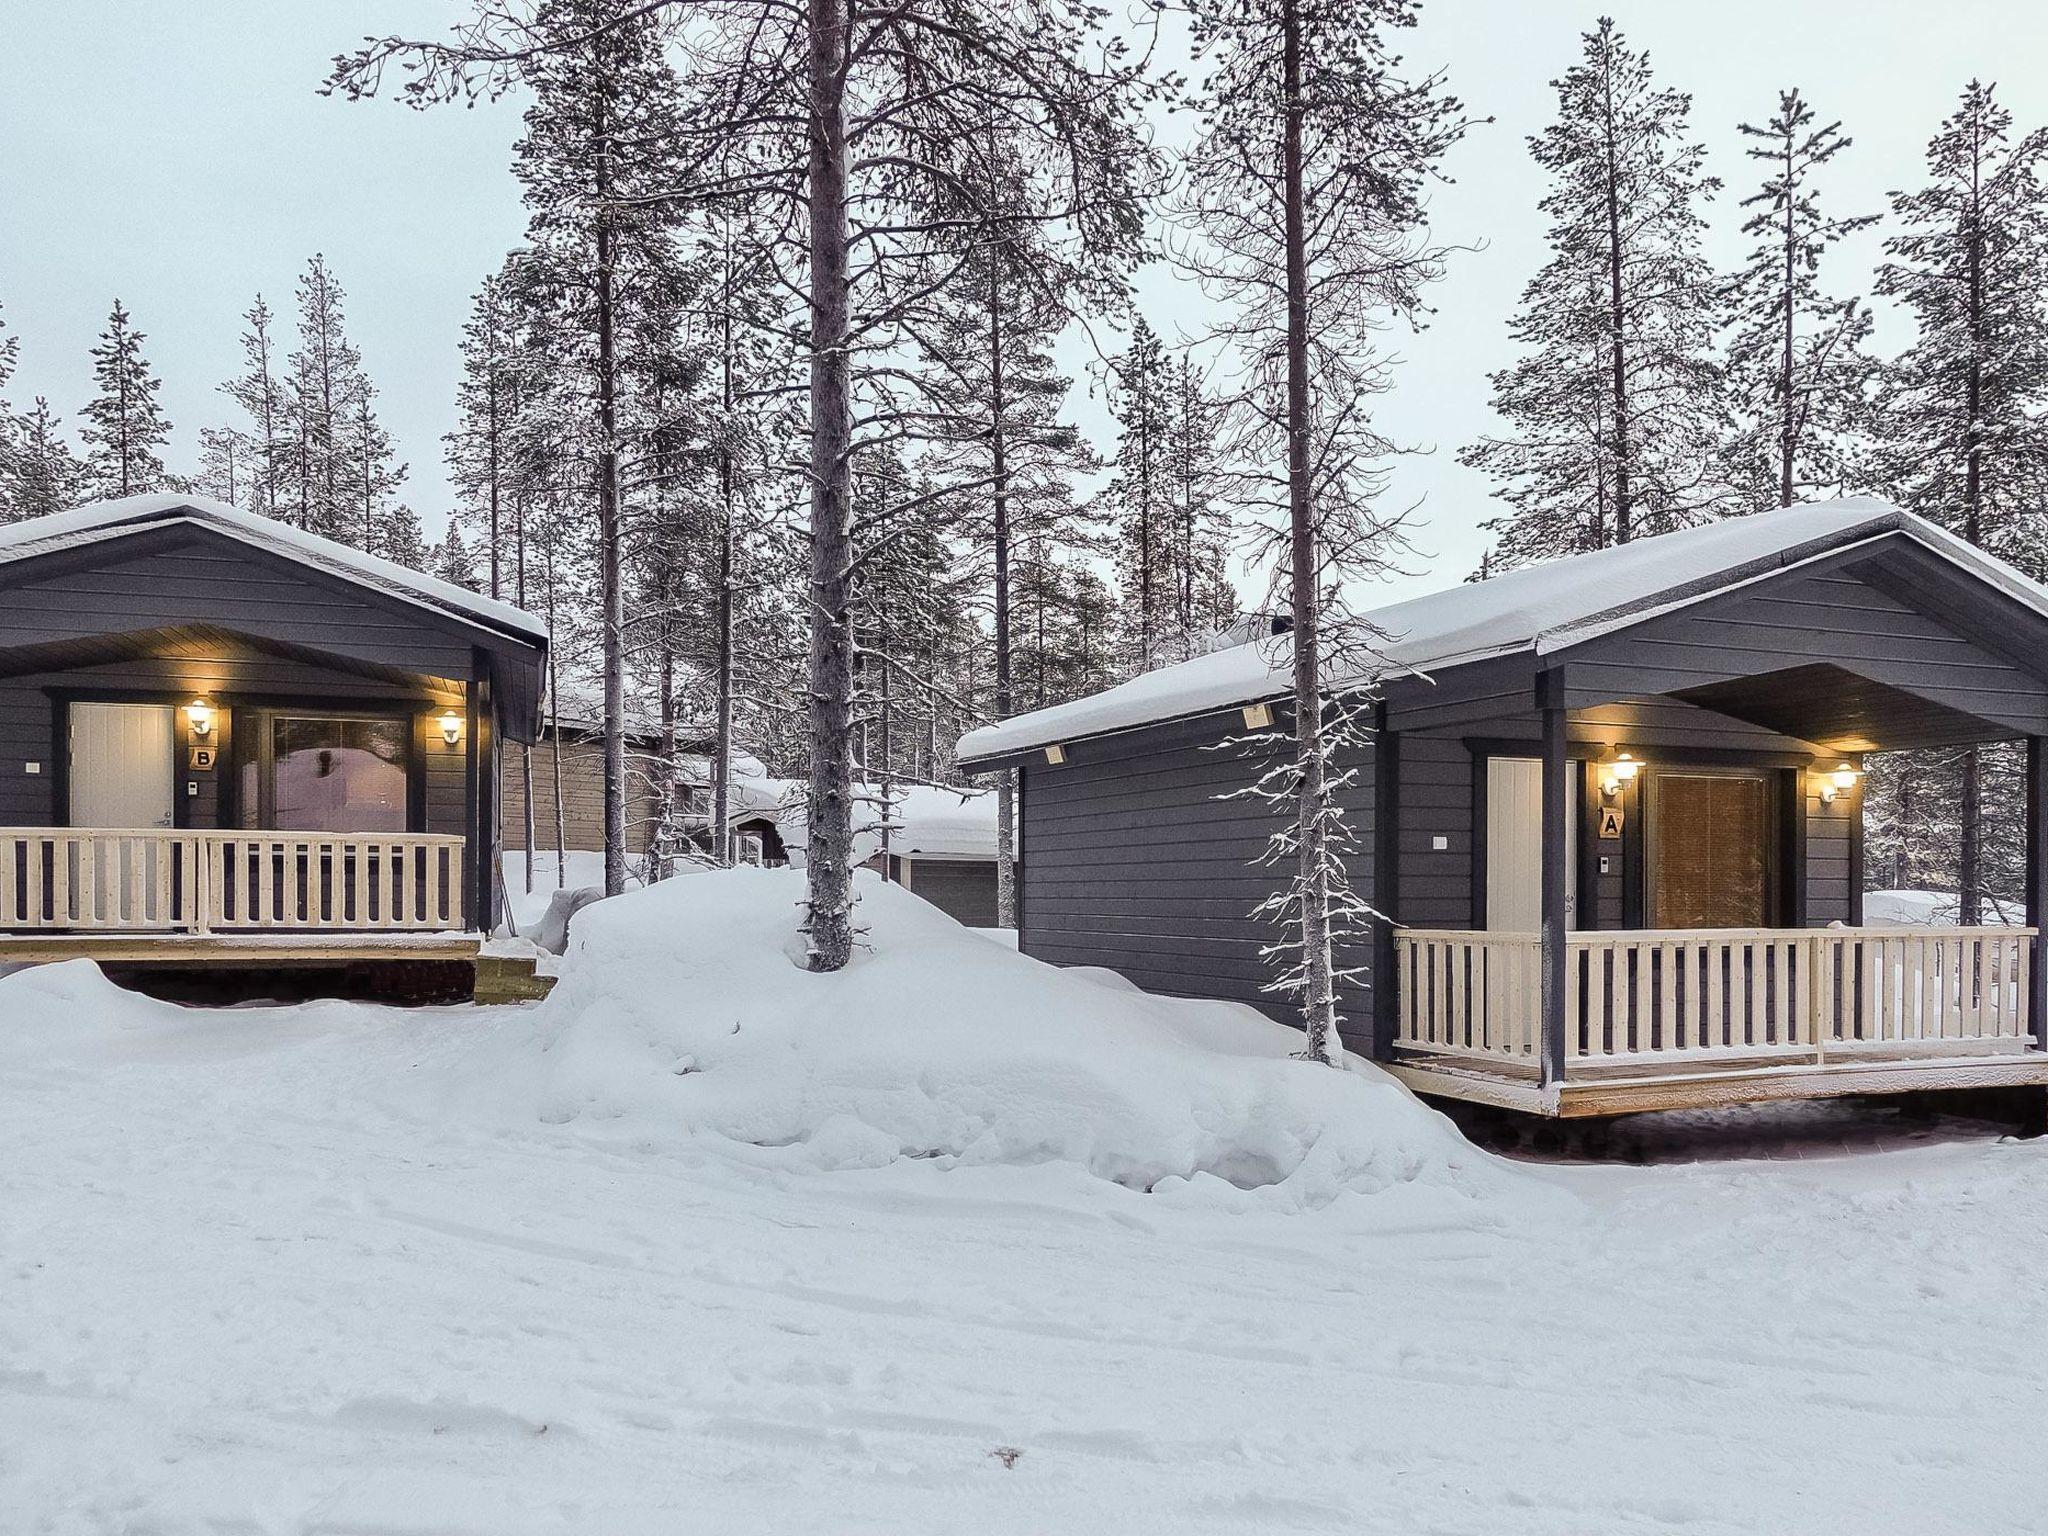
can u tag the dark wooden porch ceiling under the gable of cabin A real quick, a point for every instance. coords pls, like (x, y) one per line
(1842, 710)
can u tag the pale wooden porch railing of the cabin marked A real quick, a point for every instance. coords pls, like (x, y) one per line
(1721, 994)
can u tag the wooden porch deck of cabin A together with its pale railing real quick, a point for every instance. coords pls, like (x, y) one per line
(1693, 1019)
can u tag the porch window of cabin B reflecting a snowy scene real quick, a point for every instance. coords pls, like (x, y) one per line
(325, 773)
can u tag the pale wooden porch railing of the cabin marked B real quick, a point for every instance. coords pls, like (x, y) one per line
(81, 880)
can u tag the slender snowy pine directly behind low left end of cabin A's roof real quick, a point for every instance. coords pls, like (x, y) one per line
(1140, 499)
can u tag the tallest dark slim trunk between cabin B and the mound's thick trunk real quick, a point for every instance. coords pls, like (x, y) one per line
(609, 517)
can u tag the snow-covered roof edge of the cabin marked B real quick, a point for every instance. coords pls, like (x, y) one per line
(130, 515)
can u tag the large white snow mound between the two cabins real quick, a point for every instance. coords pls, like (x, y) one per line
(685, 1013)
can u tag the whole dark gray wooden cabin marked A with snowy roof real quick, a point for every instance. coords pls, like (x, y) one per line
(1611, 812)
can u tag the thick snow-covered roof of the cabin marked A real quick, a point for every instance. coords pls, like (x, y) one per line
(1535, 609)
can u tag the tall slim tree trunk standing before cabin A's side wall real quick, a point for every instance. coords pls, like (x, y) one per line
(1312, 876)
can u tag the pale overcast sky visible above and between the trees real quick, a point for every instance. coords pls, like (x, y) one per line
(181, 159)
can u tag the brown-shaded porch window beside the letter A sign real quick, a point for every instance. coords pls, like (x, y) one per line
(1709, 847)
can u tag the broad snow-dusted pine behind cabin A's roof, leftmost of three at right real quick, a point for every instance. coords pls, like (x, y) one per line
(1613, 415)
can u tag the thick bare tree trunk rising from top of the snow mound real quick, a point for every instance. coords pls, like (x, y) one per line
(828, 859)
